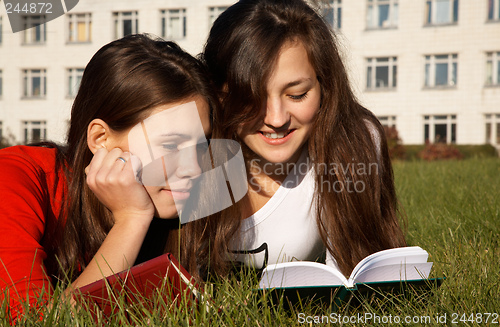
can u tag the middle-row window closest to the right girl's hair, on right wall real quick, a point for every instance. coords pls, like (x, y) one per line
(372, 63)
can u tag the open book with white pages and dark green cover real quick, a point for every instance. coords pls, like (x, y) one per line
(384, 271)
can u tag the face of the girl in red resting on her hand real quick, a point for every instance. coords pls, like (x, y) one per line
(167, 143)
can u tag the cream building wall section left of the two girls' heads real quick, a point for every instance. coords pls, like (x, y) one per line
(56, 55)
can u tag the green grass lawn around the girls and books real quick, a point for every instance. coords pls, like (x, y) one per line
(453, 211)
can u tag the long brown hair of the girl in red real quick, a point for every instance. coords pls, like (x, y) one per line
(121, 84)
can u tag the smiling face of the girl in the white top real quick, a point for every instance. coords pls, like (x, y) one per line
(287, 116)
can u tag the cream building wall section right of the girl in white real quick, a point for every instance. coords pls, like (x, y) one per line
(470, 38)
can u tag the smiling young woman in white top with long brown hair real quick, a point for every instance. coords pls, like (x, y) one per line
(319, 174)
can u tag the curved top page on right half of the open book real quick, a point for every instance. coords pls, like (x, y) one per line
(413, 254)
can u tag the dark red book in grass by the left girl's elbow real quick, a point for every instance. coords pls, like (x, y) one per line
(162, 277)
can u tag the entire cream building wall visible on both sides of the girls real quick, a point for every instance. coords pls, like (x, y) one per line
(410, 40)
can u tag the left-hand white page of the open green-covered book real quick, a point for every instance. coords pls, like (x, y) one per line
(300, 273)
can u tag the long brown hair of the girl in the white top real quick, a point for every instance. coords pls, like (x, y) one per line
(241, 52)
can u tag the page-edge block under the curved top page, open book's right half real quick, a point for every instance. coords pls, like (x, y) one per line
(394, 272)
